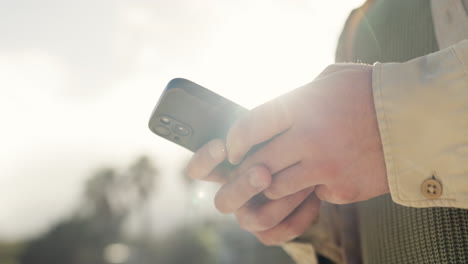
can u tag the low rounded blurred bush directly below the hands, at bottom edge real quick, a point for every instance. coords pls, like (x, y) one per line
(220, 242)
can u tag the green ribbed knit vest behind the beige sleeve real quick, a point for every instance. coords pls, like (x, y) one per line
(397, 31)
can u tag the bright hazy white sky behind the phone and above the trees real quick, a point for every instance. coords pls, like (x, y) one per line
(79, 79)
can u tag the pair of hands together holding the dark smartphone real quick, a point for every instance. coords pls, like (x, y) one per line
(323, 142)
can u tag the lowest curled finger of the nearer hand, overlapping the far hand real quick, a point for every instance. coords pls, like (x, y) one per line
(291, 180)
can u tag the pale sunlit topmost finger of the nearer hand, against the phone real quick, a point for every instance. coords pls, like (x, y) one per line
(259, 125)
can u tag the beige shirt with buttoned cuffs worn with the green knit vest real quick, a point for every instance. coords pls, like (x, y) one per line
(419, 101)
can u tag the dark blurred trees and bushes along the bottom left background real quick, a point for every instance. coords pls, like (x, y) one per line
(110, 197)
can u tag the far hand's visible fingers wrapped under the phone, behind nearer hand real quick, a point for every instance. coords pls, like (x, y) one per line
(272, 222)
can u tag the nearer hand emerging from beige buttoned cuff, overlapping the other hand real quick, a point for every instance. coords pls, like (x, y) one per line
(322, 135)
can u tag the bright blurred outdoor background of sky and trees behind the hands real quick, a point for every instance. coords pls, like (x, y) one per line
(82, 179)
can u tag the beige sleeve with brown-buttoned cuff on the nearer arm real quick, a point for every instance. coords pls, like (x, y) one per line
(422, 113)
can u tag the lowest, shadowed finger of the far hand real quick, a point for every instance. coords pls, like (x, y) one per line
(294, 225)
